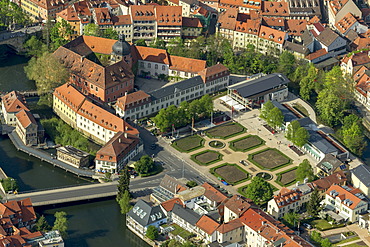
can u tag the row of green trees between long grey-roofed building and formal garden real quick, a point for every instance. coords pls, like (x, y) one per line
(184, 114)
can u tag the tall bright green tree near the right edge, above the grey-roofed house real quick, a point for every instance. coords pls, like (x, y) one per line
(353, 135)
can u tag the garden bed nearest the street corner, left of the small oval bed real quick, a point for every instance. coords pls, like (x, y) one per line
(231, 173)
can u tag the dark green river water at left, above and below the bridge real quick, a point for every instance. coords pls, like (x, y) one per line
(93, 224)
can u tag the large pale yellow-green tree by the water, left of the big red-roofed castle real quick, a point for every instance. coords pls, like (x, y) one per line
(47, 72)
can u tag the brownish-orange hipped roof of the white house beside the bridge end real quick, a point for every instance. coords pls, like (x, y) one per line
(117, 147)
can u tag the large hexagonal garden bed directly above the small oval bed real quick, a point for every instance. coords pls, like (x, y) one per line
(269, 159)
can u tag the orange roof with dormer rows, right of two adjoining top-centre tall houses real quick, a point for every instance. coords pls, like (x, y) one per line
(168, 15)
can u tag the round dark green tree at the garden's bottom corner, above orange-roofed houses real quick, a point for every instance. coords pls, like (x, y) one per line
(259, 190)
